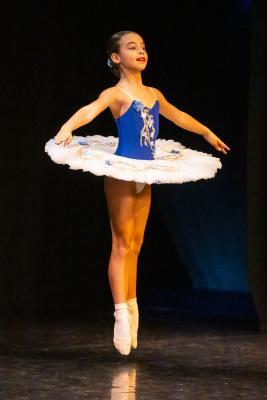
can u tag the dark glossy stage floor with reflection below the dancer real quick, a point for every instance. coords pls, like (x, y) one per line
(71, 356)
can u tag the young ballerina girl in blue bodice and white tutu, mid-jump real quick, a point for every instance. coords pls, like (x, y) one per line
(138, 161)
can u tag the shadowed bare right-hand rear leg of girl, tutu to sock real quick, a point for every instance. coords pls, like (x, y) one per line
(141, 212)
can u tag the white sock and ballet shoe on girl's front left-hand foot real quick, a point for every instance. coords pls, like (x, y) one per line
(122, 345)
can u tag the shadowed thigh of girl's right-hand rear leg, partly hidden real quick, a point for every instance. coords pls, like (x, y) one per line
(141, 211)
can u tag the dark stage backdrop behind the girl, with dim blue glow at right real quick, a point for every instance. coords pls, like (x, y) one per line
(55, 232)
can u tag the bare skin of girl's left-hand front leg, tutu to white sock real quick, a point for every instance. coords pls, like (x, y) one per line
(121, 199)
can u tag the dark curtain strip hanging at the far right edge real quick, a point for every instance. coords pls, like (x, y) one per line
(257, 163)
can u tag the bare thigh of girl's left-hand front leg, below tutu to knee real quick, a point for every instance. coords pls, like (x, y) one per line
(121, 198)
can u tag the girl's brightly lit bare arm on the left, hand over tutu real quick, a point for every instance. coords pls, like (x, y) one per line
(85, 115)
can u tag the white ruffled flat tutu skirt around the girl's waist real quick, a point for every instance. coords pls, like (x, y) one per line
(173, 162)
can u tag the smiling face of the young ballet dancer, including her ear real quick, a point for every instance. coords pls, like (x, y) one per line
(132, 53)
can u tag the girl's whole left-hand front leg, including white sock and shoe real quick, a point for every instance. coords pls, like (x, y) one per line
(121, 198)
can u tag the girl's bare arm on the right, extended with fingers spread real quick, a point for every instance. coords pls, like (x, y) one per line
(189, 123)
